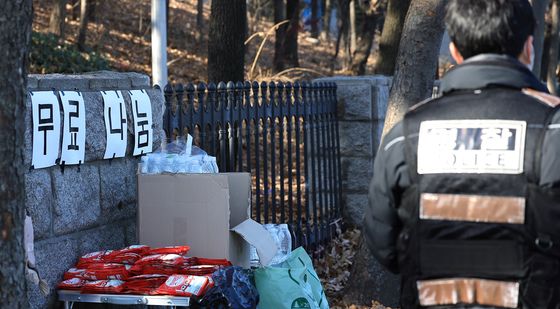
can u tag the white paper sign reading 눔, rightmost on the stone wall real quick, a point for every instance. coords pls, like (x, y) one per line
(142, 115)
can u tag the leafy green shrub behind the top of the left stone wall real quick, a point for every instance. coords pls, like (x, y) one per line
(48, 55)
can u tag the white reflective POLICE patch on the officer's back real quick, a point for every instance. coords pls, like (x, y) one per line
(471, 146)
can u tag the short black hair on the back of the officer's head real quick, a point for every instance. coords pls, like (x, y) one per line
(489, 26)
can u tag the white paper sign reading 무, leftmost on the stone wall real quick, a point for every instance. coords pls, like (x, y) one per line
(46, 128)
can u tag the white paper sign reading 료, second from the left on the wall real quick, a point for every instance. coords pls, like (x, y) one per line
(74, 128)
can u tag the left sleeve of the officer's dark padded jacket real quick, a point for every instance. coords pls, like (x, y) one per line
(381, 225)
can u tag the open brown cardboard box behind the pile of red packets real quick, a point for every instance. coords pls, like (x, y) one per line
(198, 210)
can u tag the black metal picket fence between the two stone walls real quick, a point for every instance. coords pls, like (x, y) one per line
(286, 135)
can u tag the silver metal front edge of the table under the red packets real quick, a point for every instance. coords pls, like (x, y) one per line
(71, 297)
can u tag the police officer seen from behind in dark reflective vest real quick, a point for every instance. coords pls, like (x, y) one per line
(465, 199)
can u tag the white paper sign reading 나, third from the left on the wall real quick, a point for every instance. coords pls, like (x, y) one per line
(115, 124)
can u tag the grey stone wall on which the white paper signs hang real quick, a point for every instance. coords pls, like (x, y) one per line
(93, 207)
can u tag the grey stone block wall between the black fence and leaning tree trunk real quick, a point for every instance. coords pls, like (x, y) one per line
(362, 104)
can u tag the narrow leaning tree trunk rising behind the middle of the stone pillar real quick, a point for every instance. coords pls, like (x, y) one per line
(366, 32)
